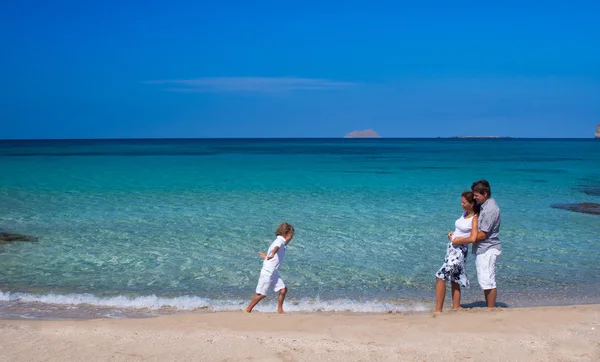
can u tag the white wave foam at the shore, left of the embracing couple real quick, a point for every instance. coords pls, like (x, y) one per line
(189, 303)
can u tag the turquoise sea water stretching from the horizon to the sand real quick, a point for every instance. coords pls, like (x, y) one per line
(142, 227)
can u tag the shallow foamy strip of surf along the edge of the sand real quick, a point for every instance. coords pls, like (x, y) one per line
(87, 306)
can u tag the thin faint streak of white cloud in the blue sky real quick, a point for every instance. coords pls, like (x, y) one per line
(250, 84)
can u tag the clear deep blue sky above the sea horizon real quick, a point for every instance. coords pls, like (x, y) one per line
(108, 69)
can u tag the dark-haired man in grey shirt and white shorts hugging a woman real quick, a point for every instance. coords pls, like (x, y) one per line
(487, 247)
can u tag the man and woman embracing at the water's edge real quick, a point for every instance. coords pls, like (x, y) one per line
(479, 225)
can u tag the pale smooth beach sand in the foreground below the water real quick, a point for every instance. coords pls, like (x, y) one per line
(569, 333)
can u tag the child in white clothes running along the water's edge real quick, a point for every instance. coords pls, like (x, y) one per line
(269, 274)
